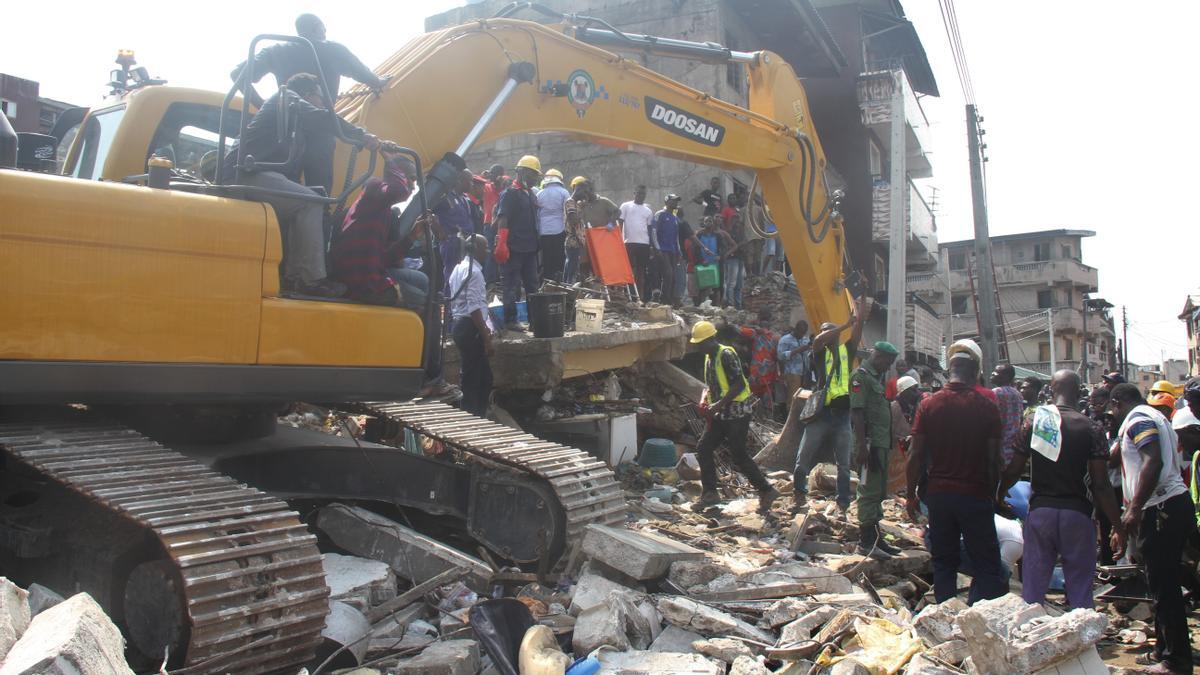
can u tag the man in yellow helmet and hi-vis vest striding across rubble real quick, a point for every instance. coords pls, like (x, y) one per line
(728, 405)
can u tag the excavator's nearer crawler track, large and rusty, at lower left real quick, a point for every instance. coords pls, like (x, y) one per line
(247, 574)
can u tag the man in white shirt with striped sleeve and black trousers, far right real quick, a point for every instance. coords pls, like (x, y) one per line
(1159, 518)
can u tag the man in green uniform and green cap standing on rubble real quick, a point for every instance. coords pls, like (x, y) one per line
(871, 415)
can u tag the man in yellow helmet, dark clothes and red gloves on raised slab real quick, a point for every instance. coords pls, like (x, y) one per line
(517, 238)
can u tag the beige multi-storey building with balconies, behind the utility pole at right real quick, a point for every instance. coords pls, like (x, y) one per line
(1049, 319)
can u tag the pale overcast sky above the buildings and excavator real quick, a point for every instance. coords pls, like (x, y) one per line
(1082, 103)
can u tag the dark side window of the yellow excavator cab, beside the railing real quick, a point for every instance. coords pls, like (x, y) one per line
(188, 136)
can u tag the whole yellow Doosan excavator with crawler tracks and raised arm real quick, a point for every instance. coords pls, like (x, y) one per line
(142, 313)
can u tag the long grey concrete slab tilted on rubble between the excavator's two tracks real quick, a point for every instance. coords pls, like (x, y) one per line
(410, 554)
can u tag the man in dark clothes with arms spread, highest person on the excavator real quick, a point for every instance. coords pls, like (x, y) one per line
(287, 59)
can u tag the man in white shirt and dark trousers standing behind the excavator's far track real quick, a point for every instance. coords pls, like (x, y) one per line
(472, 326)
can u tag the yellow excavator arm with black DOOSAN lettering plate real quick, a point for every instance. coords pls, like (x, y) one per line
(485, 81)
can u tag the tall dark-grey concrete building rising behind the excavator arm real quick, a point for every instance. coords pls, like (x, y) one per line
(862, 64)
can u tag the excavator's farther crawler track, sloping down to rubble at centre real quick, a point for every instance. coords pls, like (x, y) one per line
(586, 488)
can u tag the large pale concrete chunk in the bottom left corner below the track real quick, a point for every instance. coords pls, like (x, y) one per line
(73, 638)
